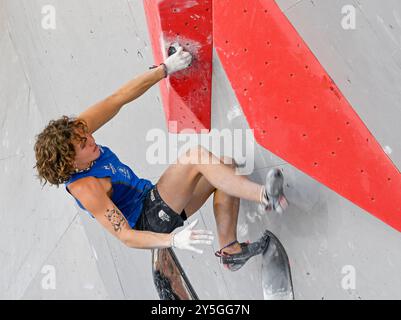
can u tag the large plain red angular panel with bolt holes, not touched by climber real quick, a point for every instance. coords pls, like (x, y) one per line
(297, 111)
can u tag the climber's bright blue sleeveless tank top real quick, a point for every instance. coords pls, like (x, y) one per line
(129, 191)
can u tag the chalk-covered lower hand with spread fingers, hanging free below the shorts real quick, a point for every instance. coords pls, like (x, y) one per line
(187, 237)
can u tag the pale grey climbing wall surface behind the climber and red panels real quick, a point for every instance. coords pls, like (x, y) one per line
(99, 45)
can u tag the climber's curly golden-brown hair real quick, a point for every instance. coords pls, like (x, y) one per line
(54, 149)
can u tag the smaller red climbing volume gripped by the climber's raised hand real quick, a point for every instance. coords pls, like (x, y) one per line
(186, 94)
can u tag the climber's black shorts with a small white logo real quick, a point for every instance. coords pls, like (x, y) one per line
(157, 216)
